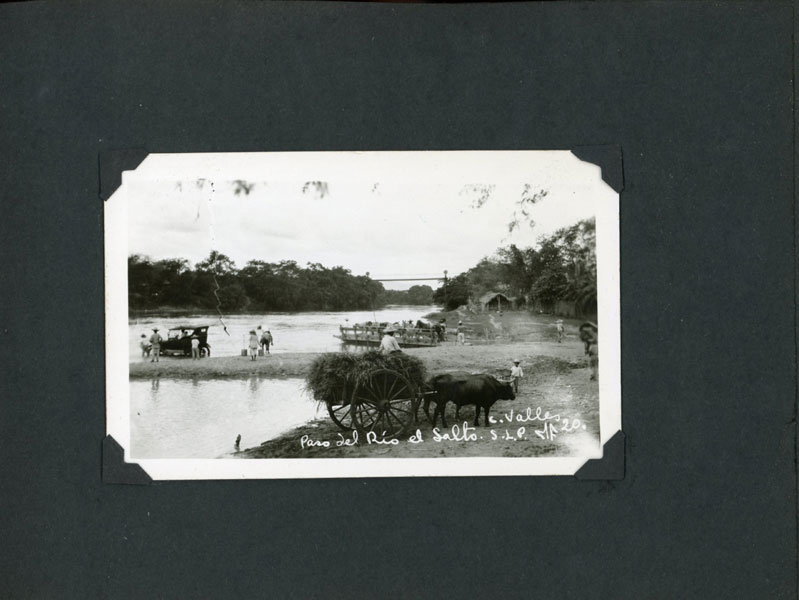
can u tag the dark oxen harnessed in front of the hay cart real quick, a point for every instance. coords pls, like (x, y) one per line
(463, 389)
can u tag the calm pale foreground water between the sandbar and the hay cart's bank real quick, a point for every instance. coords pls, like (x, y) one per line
(174, 418)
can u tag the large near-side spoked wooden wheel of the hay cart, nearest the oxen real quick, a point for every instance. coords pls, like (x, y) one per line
(386, 404)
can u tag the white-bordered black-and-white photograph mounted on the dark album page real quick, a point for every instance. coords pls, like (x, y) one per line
(362, 314)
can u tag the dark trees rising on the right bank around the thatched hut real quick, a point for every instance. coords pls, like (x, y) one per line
(562, 266)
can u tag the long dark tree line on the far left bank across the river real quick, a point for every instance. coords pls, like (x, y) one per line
(258, 286)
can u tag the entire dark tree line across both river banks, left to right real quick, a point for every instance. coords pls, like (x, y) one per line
(561, 266)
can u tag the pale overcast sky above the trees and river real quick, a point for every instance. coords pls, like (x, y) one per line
(388, 228)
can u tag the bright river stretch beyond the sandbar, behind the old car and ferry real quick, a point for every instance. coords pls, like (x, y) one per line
(292, 332)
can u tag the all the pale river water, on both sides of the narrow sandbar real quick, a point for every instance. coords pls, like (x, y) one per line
(180, 418)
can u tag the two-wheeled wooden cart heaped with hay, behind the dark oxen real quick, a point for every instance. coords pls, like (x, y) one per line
(369, 392)
